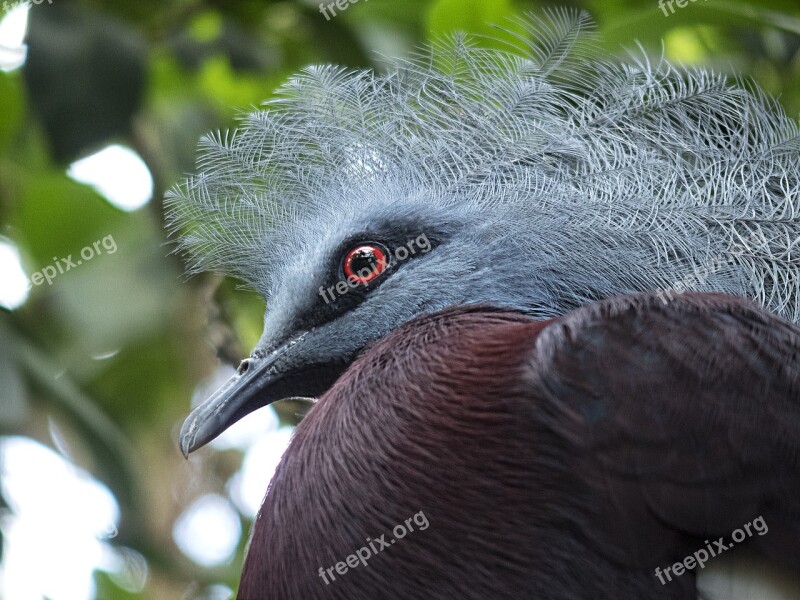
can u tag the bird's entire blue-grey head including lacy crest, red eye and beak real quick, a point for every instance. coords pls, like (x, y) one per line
(532, 178)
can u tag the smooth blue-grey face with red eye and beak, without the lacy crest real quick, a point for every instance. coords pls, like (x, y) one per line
(343, 280)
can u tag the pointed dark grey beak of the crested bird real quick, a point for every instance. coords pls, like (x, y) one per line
(259, 381)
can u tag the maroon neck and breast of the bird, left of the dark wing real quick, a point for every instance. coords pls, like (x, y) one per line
(380, 455)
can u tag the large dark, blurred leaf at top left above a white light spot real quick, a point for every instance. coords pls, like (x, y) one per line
(85, 74)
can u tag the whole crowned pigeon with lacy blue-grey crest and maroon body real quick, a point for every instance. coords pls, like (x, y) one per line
(546, 181)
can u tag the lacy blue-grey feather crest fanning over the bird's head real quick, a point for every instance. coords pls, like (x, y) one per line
(619, 175)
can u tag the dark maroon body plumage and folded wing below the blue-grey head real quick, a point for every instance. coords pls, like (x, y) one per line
(558, 459)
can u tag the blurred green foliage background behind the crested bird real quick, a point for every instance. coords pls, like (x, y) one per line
(112, 351)
